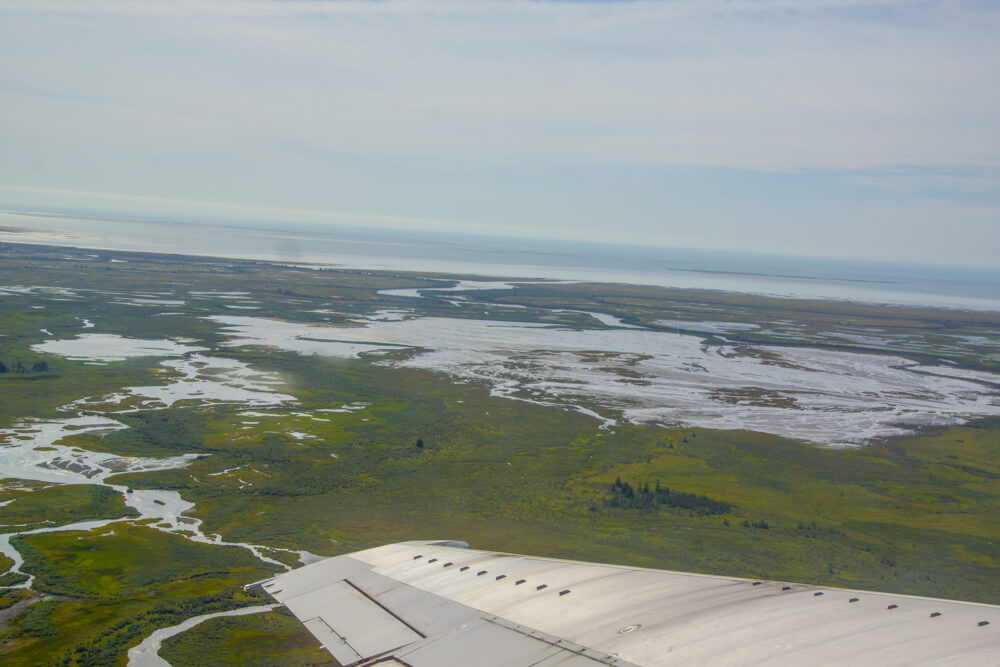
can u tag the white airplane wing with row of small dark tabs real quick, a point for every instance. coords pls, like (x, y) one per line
(440, 603)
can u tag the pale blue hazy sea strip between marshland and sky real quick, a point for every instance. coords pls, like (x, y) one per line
(465, 254)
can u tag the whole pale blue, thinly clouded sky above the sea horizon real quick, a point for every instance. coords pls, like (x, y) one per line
(837, 128)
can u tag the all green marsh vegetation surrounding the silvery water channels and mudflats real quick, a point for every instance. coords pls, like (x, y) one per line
(913, 515)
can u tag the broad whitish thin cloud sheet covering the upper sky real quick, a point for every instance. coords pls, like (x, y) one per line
(749, 85)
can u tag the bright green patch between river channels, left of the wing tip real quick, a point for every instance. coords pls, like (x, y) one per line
(114, 586)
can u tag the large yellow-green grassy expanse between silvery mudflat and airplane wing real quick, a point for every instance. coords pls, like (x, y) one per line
(515, 477)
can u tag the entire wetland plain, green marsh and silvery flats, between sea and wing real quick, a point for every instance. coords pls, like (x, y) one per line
(856, 445)
